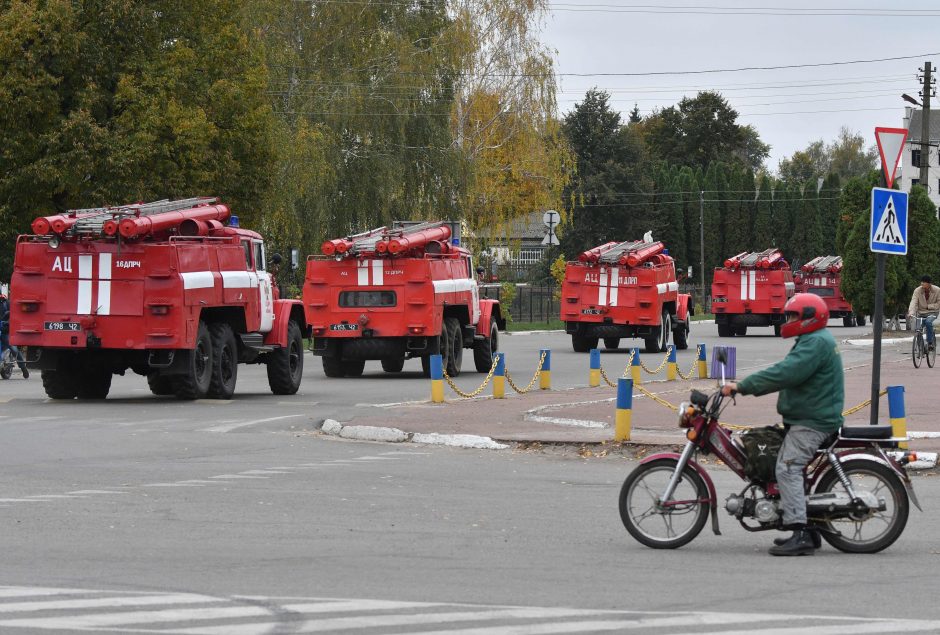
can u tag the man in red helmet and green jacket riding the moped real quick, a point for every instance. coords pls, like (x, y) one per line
(812, 397)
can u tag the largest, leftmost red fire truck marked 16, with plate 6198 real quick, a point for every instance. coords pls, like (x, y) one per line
(165, 289)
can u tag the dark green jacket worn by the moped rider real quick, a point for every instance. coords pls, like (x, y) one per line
(810, 381)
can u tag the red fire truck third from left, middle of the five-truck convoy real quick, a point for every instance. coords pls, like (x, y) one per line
(626, 289)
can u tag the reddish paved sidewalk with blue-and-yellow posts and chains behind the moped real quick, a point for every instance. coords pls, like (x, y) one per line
(586, 415)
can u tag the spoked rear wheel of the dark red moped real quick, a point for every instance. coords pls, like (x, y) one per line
(874, 530)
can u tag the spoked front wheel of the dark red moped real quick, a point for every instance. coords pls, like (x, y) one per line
(663, 524)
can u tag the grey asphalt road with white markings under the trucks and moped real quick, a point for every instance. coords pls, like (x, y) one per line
(143, 514)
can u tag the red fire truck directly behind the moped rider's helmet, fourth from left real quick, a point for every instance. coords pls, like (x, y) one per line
(750, 290)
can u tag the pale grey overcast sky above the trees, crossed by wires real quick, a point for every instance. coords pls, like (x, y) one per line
(789, 107)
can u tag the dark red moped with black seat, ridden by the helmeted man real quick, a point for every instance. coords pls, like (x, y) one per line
(858, 494)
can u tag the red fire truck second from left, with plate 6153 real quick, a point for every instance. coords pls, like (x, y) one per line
(396, 293)
